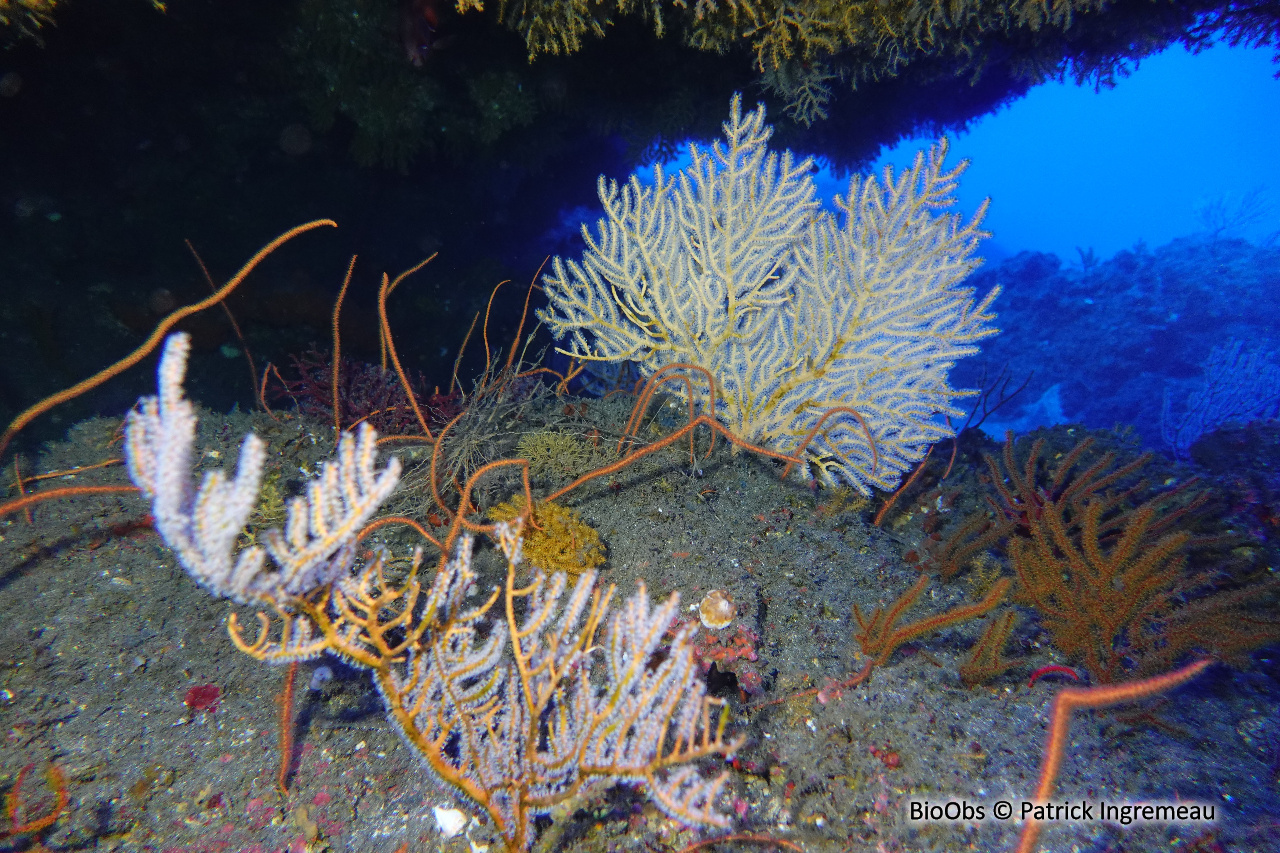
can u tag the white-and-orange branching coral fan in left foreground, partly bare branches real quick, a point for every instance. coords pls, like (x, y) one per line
(505, 699)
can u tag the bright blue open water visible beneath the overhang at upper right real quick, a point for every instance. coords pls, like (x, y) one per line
(1071, 167)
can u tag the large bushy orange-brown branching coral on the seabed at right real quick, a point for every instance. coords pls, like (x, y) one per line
(1104, 559)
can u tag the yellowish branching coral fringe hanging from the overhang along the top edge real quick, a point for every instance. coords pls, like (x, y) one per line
(803, 48)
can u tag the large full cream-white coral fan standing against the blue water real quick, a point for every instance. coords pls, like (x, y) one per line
(825, 334)
